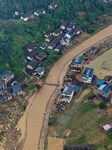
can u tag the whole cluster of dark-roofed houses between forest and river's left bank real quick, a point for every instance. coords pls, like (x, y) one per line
(53, 41)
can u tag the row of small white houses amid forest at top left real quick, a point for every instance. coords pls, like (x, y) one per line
(26, 17)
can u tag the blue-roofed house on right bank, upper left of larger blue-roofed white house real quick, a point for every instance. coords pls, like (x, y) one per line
(77, 64)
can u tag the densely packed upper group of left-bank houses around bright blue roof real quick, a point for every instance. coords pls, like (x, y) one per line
(60, 38)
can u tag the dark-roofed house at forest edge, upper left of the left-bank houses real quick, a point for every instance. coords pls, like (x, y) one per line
(30, 47)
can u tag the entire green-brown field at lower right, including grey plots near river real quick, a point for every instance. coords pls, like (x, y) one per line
(83, 125)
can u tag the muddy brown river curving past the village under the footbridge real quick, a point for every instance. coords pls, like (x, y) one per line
(36, 112)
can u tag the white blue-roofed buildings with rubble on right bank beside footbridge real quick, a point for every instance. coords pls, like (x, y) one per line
(71, 88)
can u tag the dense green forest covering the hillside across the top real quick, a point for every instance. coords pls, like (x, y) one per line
(14, 33)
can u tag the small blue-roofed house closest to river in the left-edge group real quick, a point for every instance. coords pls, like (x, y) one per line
(16, 89)
